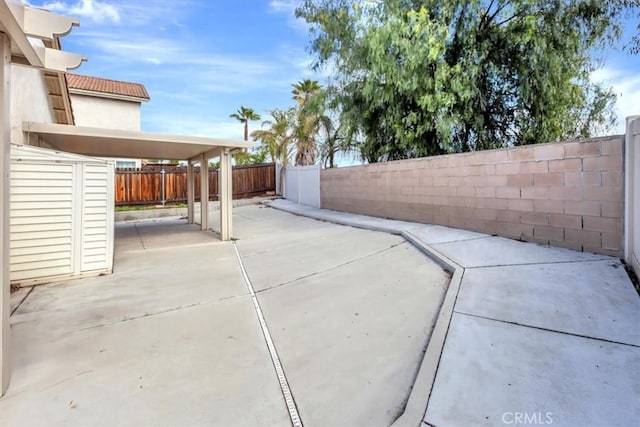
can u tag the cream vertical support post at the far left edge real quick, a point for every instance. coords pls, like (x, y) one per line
(5, 185)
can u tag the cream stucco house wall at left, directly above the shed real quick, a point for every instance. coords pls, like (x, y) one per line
(29, 100)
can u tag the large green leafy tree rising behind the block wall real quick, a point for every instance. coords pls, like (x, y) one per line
(425, 77)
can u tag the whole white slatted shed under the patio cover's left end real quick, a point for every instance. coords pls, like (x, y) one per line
(61, 215)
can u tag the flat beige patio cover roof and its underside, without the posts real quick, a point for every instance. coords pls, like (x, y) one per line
(99, 142)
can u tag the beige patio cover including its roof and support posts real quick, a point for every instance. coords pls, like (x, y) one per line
(100, 142)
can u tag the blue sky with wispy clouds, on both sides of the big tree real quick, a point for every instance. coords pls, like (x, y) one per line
(201, 60)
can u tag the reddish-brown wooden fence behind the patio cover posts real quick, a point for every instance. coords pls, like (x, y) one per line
(145, 186)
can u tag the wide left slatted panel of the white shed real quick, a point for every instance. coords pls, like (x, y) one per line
(41, 220)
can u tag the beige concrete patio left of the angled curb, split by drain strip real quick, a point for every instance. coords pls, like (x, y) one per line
(172, 337)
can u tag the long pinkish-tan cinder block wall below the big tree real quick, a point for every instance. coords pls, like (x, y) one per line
(563, 194)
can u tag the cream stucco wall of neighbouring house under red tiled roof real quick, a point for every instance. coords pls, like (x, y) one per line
(105, 113)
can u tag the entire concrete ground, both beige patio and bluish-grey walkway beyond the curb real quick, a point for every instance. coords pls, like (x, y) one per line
(368, 327)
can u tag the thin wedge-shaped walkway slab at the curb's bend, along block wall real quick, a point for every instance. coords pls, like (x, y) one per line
(497, 251)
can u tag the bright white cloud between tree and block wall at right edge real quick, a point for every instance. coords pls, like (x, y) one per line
(626, 86)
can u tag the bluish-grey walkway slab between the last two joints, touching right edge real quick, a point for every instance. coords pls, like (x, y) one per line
(593, 299)
